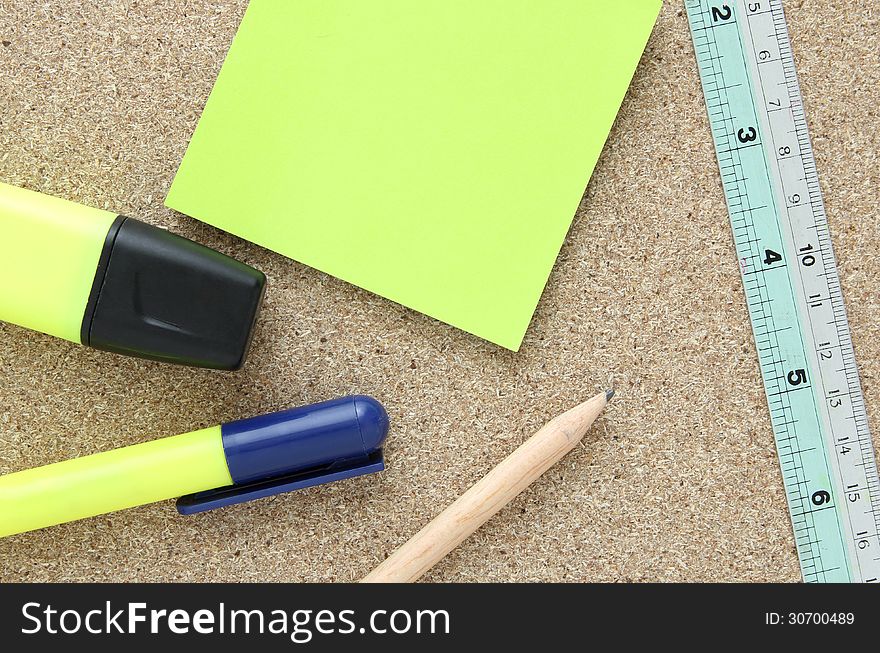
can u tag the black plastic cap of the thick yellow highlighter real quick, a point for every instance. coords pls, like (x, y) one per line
(166, 298)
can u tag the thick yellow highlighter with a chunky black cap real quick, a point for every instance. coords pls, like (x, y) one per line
(118, 284)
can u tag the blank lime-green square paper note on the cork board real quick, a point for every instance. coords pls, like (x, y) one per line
(431, 151)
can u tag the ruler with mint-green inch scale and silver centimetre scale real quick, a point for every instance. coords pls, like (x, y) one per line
(792, 286)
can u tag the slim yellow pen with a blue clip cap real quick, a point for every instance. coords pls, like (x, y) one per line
(219, 466)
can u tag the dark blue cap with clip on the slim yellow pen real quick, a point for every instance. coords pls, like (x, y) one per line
(295, 449)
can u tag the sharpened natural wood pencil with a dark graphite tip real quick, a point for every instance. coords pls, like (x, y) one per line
(489, 495)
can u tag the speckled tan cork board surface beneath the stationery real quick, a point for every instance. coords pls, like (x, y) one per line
(678, 482)
